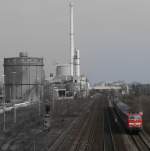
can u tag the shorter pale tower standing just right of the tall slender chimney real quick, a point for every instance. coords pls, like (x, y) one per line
(77, 63)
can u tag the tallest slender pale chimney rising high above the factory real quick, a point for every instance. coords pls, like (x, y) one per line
(71, 5)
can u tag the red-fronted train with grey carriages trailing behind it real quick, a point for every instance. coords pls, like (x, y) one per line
(131, 120)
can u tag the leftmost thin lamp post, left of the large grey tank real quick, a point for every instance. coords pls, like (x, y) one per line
(3, 92)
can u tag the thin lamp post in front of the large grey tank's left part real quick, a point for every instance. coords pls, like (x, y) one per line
(14, 96)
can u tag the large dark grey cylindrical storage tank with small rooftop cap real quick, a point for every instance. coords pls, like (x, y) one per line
(23, 76)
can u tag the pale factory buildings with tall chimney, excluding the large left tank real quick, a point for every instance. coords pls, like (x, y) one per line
(68, 82)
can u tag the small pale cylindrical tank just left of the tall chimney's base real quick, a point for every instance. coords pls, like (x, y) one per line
(62, 70)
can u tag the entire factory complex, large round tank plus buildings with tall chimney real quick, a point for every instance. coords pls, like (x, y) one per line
(24, 76)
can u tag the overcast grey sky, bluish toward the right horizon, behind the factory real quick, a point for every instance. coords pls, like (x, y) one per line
(112, 35)
